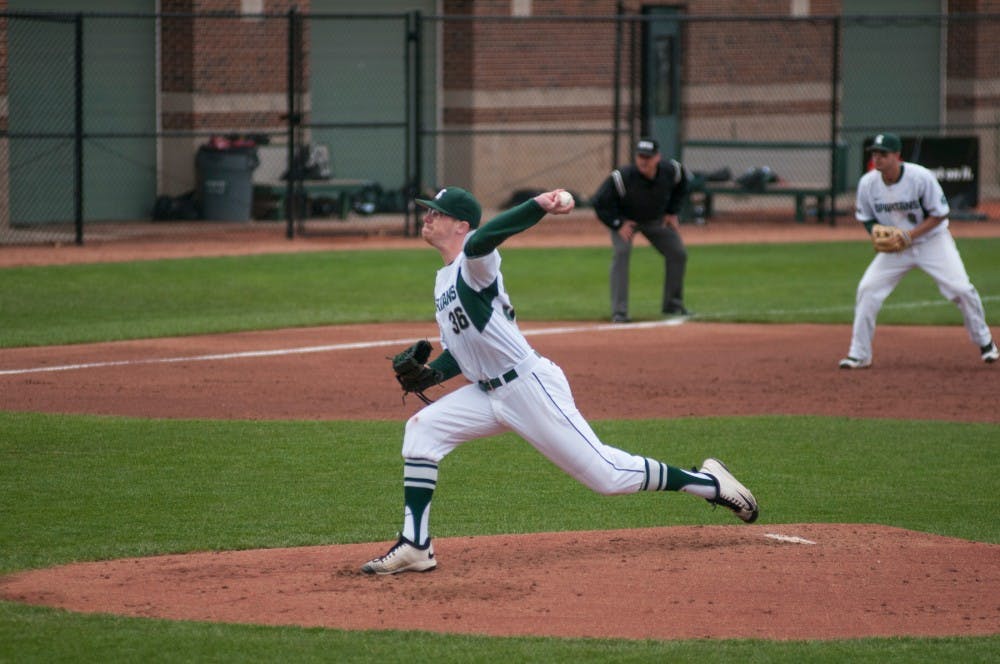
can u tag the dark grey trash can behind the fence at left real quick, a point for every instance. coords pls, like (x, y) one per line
(225, 181)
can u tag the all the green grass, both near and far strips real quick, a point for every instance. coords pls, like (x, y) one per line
(88, 488)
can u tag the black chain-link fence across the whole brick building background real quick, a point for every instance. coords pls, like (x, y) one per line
(118, 124)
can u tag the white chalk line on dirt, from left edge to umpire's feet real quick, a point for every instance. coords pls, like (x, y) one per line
(359, 345)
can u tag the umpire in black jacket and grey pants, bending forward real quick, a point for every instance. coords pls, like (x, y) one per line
(645, 197)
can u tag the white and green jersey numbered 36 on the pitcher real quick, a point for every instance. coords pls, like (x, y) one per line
(476, 317)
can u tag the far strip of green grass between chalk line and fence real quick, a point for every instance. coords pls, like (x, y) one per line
(744, 283)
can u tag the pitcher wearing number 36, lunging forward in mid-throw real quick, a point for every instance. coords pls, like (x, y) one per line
(511, 387)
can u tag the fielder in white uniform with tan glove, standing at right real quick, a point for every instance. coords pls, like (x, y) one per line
(908, 197)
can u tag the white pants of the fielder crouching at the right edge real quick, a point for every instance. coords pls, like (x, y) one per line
(937, 256)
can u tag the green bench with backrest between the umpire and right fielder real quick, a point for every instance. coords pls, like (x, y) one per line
(803, 170)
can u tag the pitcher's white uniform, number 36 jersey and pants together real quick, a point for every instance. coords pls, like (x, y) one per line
(533, 398)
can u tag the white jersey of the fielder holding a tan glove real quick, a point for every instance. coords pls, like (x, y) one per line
(905, 203)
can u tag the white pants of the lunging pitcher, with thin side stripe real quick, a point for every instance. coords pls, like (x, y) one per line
(539, 407)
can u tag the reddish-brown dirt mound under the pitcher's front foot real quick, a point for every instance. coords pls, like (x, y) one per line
(773, 582)
